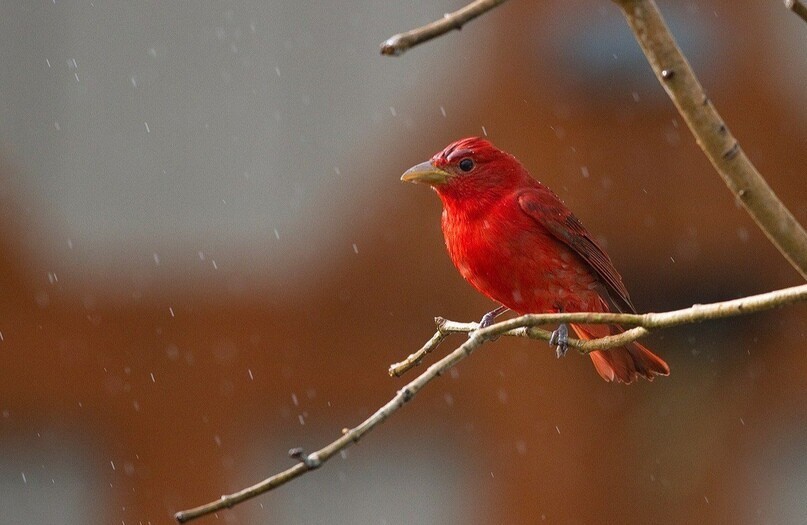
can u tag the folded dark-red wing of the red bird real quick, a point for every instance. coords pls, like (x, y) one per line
(545, 208)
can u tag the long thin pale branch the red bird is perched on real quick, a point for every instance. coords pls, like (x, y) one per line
(643, 322)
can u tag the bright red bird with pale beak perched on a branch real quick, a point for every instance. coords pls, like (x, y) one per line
(516, 242)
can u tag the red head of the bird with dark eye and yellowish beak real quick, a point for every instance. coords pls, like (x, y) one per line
(470, 168)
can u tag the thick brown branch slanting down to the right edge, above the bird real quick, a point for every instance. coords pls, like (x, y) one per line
(712, 134)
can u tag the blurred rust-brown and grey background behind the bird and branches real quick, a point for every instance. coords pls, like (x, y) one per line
(207, 258)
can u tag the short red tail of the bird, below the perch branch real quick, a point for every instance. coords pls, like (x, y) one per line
(623, 364)
